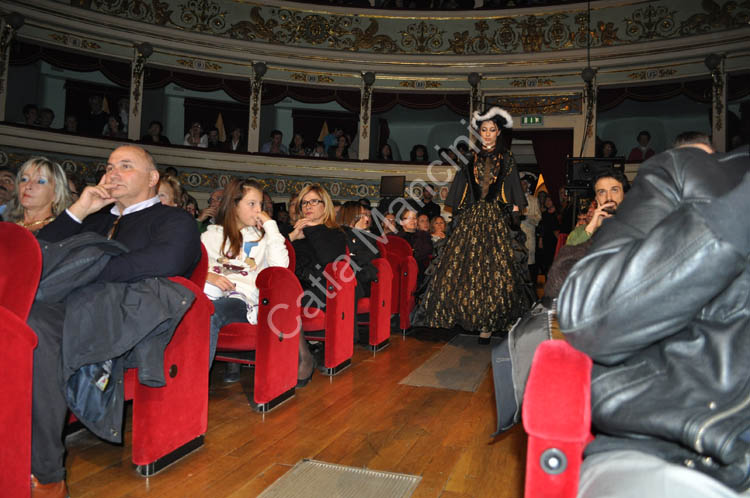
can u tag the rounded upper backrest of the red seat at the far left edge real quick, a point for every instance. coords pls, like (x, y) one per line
(20, 251)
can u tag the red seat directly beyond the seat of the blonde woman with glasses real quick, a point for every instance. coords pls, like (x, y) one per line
(378, 306)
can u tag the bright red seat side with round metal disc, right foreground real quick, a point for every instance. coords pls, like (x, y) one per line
(557, 419)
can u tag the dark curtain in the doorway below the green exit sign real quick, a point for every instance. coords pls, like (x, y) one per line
(551, 148)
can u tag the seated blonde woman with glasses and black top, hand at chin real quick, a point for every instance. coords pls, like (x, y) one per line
(317, 240)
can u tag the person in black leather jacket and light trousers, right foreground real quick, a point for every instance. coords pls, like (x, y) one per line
(661, 303)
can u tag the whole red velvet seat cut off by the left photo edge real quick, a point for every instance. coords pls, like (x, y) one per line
(18, 250)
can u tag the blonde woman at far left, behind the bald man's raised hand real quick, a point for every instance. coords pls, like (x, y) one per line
(41, 194)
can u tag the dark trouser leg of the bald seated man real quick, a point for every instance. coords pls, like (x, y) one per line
(48, 405)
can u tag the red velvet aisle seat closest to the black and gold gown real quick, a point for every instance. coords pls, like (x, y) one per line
(405, 271)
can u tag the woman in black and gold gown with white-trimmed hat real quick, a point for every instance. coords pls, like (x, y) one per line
(479, 283)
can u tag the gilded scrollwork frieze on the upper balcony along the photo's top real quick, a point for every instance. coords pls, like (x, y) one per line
(617, 25)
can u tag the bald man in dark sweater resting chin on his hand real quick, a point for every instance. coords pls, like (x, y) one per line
(163, 241)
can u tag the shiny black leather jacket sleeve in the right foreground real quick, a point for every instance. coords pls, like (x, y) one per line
(655, 264)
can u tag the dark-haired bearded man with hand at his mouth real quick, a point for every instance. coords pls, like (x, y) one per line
(610, 186)
